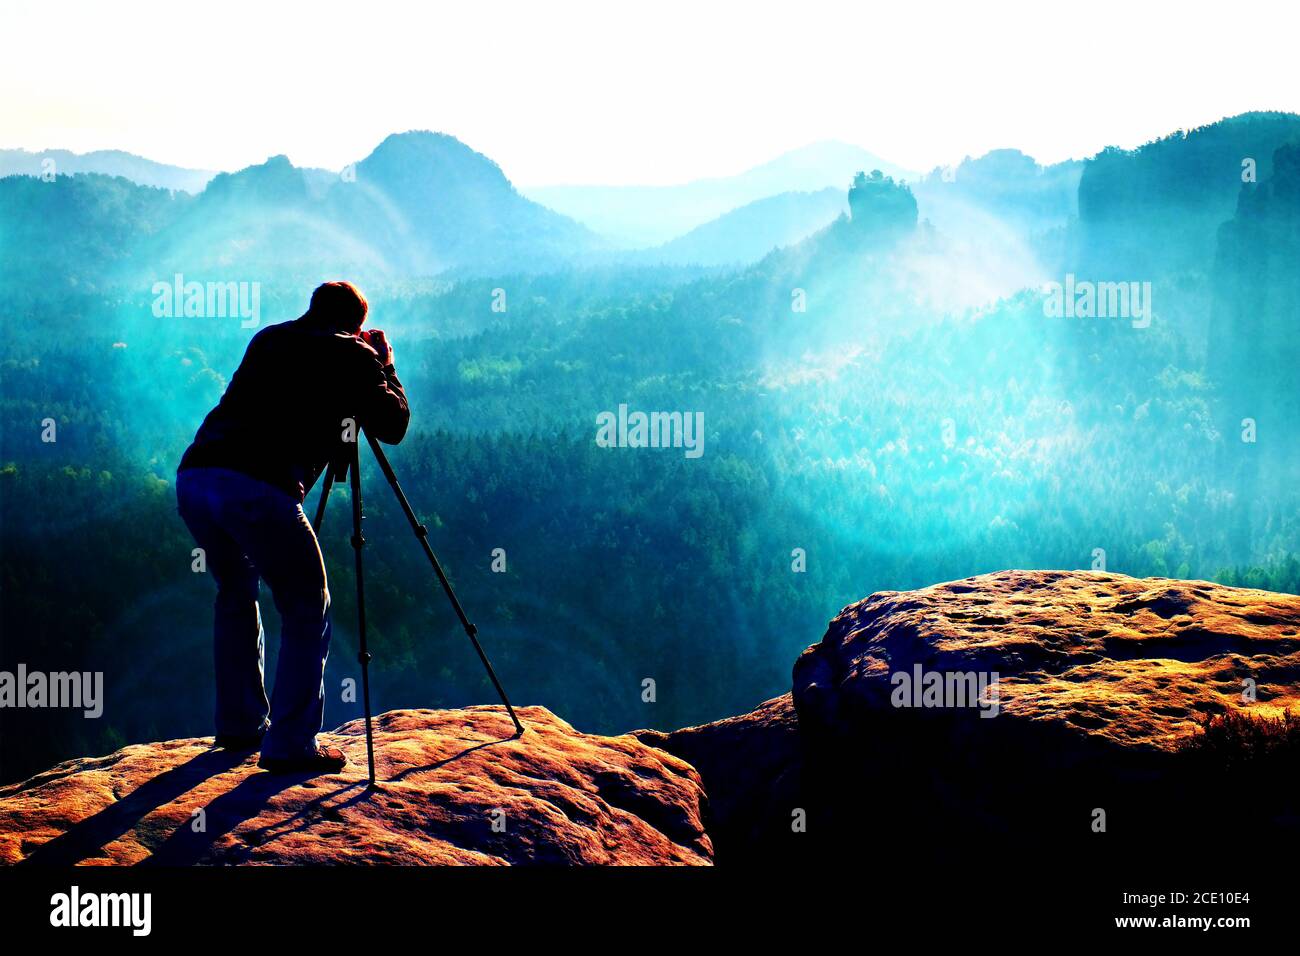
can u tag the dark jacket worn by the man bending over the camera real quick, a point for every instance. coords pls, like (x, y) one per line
(281, 418)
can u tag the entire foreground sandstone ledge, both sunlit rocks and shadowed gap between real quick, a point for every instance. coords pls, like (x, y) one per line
(1100, 680)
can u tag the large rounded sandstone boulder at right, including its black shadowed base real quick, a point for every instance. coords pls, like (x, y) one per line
(1100, 677)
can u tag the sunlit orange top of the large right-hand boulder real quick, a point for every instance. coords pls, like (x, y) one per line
(1133, 663)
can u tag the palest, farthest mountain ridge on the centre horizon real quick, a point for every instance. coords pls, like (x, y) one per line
(639, 217)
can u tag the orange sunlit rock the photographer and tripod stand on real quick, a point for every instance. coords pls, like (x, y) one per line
(566, 798)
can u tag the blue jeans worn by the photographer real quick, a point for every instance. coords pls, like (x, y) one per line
(250, 531)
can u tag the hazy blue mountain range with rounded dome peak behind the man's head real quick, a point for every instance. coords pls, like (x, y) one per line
(421, 205)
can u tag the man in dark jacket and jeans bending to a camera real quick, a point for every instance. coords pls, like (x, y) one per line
(240, 491)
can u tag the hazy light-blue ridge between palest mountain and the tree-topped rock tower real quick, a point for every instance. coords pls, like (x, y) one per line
(753, 231)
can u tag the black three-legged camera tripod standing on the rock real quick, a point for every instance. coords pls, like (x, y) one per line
(349, 461)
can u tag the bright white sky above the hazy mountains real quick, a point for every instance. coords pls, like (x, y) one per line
(656, 93)
